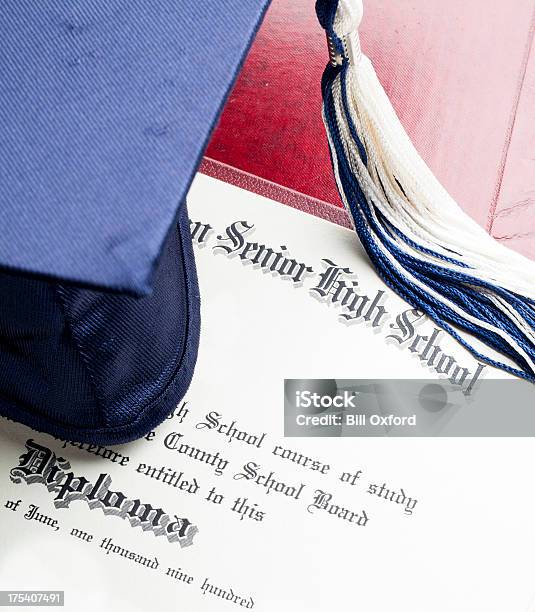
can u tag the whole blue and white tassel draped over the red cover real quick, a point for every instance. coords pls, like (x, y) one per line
(424, 247)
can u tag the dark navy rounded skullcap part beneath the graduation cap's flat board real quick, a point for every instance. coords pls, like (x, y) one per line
(97, 366)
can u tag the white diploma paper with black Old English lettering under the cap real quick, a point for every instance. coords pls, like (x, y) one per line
(217, 511)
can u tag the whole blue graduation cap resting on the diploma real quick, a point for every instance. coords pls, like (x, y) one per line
(105, 109)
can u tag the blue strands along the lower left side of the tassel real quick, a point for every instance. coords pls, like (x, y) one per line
(424, 271)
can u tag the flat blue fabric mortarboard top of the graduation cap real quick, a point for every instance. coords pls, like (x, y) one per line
(105, 110)
